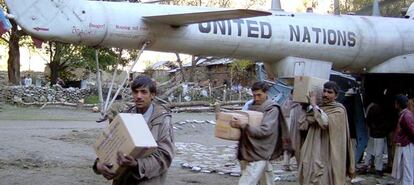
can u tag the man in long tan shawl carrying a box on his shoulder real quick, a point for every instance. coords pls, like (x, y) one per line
(327, 155)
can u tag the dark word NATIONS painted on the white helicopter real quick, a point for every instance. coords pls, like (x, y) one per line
(323, 36)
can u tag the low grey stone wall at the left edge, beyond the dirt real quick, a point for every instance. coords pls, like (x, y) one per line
(33, 94)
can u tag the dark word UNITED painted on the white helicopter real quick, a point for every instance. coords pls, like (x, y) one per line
(249, 28)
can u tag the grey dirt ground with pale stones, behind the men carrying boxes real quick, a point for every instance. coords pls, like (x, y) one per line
(54, 146)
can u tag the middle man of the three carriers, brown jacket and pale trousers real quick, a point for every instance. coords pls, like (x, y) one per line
(260, 144)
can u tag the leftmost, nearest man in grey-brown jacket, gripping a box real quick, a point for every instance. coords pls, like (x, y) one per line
(151, 170)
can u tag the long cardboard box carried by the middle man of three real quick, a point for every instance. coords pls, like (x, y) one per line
(223, 129)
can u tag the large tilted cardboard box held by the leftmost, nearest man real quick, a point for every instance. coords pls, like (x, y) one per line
(128, 133)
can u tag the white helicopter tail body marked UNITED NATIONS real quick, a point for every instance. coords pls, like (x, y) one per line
(352, 43)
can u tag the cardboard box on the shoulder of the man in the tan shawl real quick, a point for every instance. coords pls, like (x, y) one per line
(303, 85)
